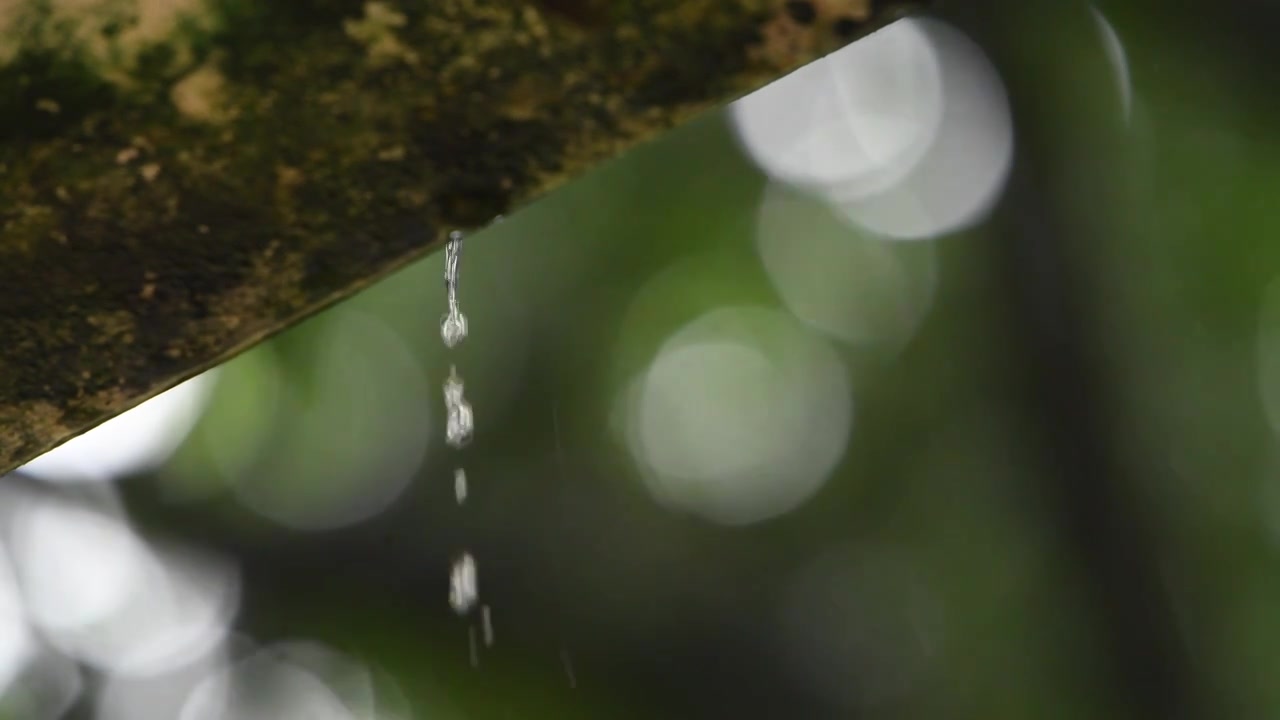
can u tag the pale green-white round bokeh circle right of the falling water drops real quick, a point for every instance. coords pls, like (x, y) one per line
(742, 417)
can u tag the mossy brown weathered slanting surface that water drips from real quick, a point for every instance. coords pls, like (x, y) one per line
(182, 179)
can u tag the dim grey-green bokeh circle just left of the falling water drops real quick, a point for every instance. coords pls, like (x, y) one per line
(358, 432)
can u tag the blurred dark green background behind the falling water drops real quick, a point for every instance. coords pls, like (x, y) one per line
(1054, 493)
